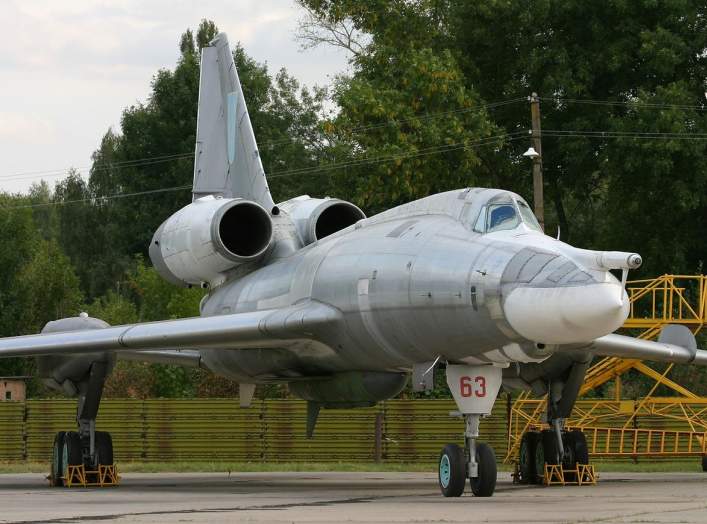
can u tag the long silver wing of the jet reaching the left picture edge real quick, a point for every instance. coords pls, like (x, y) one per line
(258, 329)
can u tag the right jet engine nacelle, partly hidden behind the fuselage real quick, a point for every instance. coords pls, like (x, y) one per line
(316, 218)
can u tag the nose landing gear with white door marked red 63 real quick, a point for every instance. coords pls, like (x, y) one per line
(474, 389)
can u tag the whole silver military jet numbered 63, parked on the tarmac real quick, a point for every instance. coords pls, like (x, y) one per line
(343, 308)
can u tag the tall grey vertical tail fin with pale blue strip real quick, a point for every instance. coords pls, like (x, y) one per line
(227, 161)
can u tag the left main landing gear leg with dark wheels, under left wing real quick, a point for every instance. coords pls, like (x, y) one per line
(85, 447)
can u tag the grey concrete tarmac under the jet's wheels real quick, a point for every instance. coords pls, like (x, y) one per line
(351, 497)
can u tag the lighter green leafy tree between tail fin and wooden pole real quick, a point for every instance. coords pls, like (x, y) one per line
(390, 110)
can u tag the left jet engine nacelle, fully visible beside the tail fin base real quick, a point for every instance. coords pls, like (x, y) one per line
(210, 236)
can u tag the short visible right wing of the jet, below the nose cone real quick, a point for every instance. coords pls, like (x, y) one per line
(675, 344)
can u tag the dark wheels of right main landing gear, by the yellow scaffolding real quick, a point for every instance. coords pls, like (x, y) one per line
(541, 448)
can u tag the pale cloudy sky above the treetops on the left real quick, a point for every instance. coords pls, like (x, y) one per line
(68, 69)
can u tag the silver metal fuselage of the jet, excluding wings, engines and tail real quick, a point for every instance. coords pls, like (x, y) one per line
(412, 284)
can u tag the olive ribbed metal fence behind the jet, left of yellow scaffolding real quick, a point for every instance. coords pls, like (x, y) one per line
(269, 431)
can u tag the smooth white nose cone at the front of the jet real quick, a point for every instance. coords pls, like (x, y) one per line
(552, 313)
